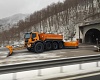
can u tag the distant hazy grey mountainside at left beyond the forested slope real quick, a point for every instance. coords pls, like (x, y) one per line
(8, 22)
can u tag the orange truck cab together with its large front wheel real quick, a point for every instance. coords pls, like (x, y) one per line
(32, 42)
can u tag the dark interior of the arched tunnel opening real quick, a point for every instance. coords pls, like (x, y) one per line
(92, 35)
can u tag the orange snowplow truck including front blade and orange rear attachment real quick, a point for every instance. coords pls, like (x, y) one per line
(37, 43)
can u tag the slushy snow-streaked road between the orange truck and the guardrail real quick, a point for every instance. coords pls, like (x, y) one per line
(25, 56)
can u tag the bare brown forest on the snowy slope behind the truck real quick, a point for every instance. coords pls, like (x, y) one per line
(61, 18)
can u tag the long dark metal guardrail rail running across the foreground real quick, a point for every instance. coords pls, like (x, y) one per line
(47, 64)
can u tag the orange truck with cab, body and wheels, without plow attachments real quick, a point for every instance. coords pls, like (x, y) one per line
(38, 42)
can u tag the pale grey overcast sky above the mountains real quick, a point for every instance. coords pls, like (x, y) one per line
(11, 7)
